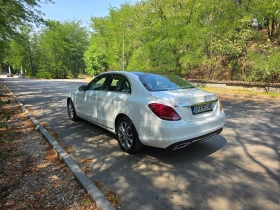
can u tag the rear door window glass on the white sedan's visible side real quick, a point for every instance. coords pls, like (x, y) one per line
(120, 84)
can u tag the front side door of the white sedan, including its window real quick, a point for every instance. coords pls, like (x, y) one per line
(91, 96)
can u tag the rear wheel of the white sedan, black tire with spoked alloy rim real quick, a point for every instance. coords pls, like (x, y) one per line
(127, 136)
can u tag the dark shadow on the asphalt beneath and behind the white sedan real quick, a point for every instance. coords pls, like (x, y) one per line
(193, 152)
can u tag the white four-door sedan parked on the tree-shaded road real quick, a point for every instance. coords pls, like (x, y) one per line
(159, 110)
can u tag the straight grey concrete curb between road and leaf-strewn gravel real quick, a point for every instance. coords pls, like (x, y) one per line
(81, 177)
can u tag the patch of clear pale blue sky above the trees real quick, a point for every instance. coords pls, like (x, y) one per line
(63, 10)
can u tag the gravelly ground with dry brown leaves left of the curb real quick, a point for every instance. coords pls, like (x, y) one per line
(31, 176)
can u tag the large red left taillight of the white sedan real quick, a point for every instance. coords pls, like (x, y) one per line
(164, 112)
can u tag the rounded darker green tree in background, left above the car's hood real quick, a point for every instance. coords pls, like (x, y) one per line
(61, 48)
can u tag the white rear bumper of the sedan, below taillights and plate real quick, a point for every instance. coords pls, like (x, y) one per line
(168, 134)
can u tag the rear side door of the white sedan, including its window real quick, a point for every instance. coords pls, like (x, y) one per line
(110, 101)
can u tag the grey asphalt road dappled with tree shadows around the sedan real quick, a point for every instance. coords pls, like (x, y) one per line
(238, 169)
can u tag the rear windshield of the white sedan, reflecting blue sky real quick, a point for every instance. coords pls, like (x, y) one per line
(156, 82)
